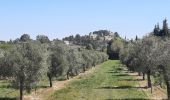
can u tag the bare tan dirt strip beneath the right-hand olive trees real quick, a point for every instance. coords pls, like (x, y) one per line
(157, 92)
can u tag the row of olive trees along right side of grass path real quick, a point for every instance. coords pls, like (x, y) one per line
(149, 56)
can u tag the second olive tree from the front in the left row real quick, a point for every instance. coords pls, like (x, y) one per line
(57, 60)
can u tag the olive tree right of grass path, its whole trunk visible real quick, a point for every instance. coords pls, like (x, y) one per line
(139, 56)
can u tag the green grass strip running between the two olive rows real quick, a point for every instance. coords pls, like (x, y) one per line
(109, 82)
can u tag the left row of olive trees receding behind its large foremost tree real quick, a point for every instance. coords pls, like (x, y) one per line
(69, 61)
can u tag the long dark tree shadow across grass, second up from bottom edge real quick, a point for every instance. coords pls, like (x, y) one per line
(122, 87)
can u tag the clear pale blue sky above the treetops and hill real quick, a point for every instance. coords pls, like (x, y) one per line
(60, 18)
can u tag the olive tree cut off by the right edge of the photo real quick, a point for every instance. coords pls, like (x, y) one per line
(162, 61)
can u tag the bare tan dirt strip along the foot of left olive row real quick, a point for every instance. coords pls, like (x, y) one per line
(42, 94)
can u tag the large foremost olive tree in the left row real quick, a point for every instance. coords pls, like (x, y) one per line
(25, 62)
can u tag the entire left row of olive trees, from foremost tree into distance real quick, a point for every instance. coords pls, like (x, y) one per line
(28, 60)
